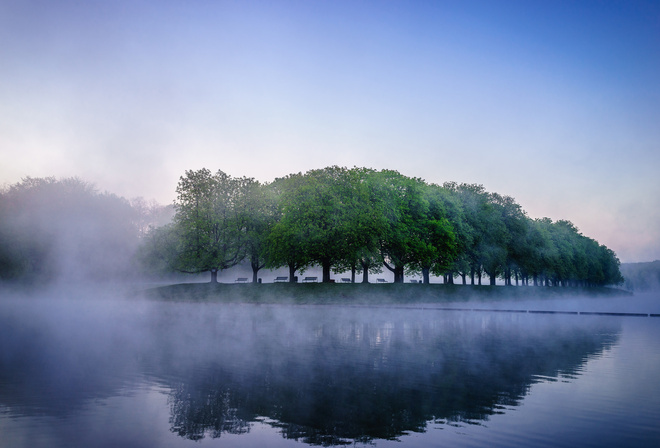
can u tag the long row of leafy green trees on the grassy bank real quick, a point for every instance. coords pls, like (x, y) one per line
(362, 220)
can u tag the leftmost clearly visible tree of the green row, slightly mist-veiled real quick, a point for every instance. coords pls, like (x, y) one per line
(210, 221)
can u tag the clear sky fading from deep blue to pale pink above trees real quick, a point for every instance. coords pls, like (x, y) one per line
(555, 103)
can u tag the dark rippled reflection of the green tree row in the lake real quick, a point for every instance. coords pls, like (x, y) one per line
(330, 376)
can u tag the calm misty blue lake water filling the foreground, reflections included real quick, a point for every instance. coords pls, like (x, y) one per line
(77, 372)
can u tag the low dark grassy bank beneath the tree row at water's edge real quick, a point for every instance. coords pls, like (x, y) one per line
(358, 293)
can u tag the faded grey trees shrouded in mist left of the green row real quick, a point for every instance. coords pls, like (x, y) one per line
(66, 230)
